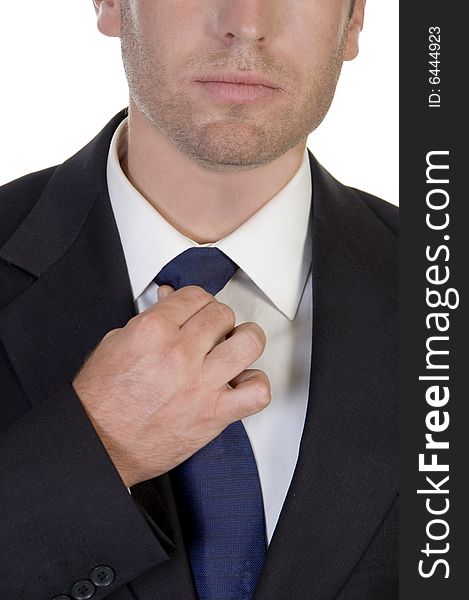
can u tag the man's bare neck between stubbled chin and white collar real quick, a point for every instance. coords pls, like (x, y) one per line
(203, 205)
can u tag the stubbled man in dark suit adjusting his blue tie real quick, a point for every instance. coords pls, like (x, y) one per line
(122, 372)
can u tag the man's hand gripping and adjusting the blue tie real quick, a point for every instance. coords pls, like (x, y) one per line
(166, 384)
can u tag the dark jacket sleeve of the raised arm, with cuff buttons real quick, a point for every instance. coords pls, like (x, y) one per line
(65, 513)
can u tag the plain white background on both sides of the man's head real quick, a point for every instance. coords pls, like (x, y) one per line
(62, 81)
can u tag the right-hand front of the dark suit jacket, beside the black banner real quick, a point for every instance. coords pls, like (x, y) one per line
(345, 478)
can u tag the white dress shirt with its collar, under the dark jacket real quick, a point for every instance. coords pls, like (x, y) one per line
(272, 288)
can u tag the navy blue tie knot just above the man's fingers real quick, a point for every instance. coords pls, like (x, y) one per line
(208, 268)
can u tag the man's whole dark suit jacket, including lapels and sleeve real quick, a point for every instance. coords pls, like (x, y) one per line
(63, 507)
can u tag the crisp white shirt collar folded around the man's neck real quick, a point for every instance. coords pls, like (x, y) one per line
(273, 247)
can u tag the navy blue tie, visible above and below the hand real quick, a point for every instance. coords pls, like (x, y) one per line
(218, 489)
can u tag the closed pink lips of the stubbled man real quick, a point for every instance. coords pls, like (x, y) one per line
(240, 88)
